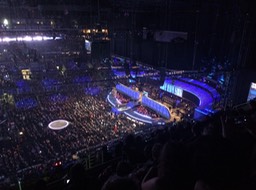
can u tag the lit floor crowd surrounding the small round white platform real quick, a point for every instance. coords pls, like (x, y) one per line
(28, 140)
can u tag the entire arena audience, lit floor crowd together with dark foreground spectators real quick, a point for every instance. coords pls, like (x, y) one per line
(185, 155)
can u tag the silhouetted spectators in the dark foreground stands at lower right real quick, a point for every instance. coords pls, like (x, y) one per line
(181, 156)
